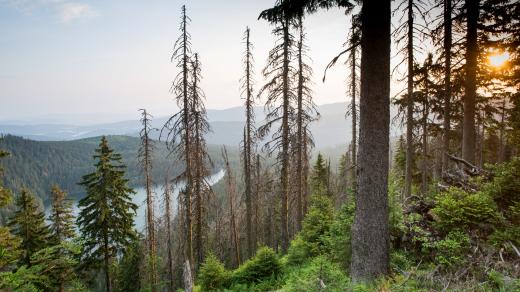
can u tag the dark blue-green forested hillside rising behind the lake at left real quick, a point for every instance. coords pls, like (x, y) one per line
(37, 165)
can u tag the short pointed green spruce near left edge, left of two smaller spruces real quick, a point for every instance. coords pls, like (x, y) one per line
(28, 223)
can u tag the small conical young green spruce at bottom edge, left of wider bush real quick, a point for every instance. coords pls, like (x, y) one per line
(212, 274)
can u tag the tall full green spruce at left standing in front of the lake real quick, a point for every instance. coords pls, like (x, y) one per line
(107, 212)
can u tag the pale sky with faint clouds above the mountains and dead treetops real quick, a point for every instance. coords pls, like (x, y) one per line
(97, 60)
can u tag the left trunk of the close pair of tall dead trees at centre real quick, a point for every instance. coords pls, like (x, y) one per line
(285, 141)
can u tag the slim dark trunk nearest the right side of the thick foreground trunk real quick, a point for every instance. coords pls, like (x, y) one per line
(409, 106)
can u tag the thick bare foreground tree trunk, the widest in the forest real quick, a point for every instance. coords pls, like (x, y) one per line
(370, 230)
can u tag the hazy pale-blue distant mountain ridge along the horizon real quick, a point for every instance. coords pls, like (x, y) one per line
(332, 129)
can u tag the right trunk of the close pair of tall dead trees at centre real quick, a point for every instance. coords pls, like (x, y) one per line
(300, 137)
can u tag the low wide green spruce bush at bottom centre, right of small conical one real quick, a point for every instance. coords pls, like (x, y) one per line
(264, 265)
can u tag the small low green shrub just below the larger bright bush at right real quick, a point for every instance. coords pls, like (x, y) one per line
(450, 251)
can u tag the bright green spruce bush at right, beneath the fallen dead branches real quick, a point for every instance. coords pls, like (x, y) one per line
(459, 209)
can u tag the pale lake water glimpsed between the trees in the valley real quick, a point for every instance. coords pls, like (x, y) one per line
(139, 198)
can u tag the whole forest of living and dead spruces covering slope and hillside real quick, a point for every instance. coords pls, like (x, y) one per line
(435, 209)
